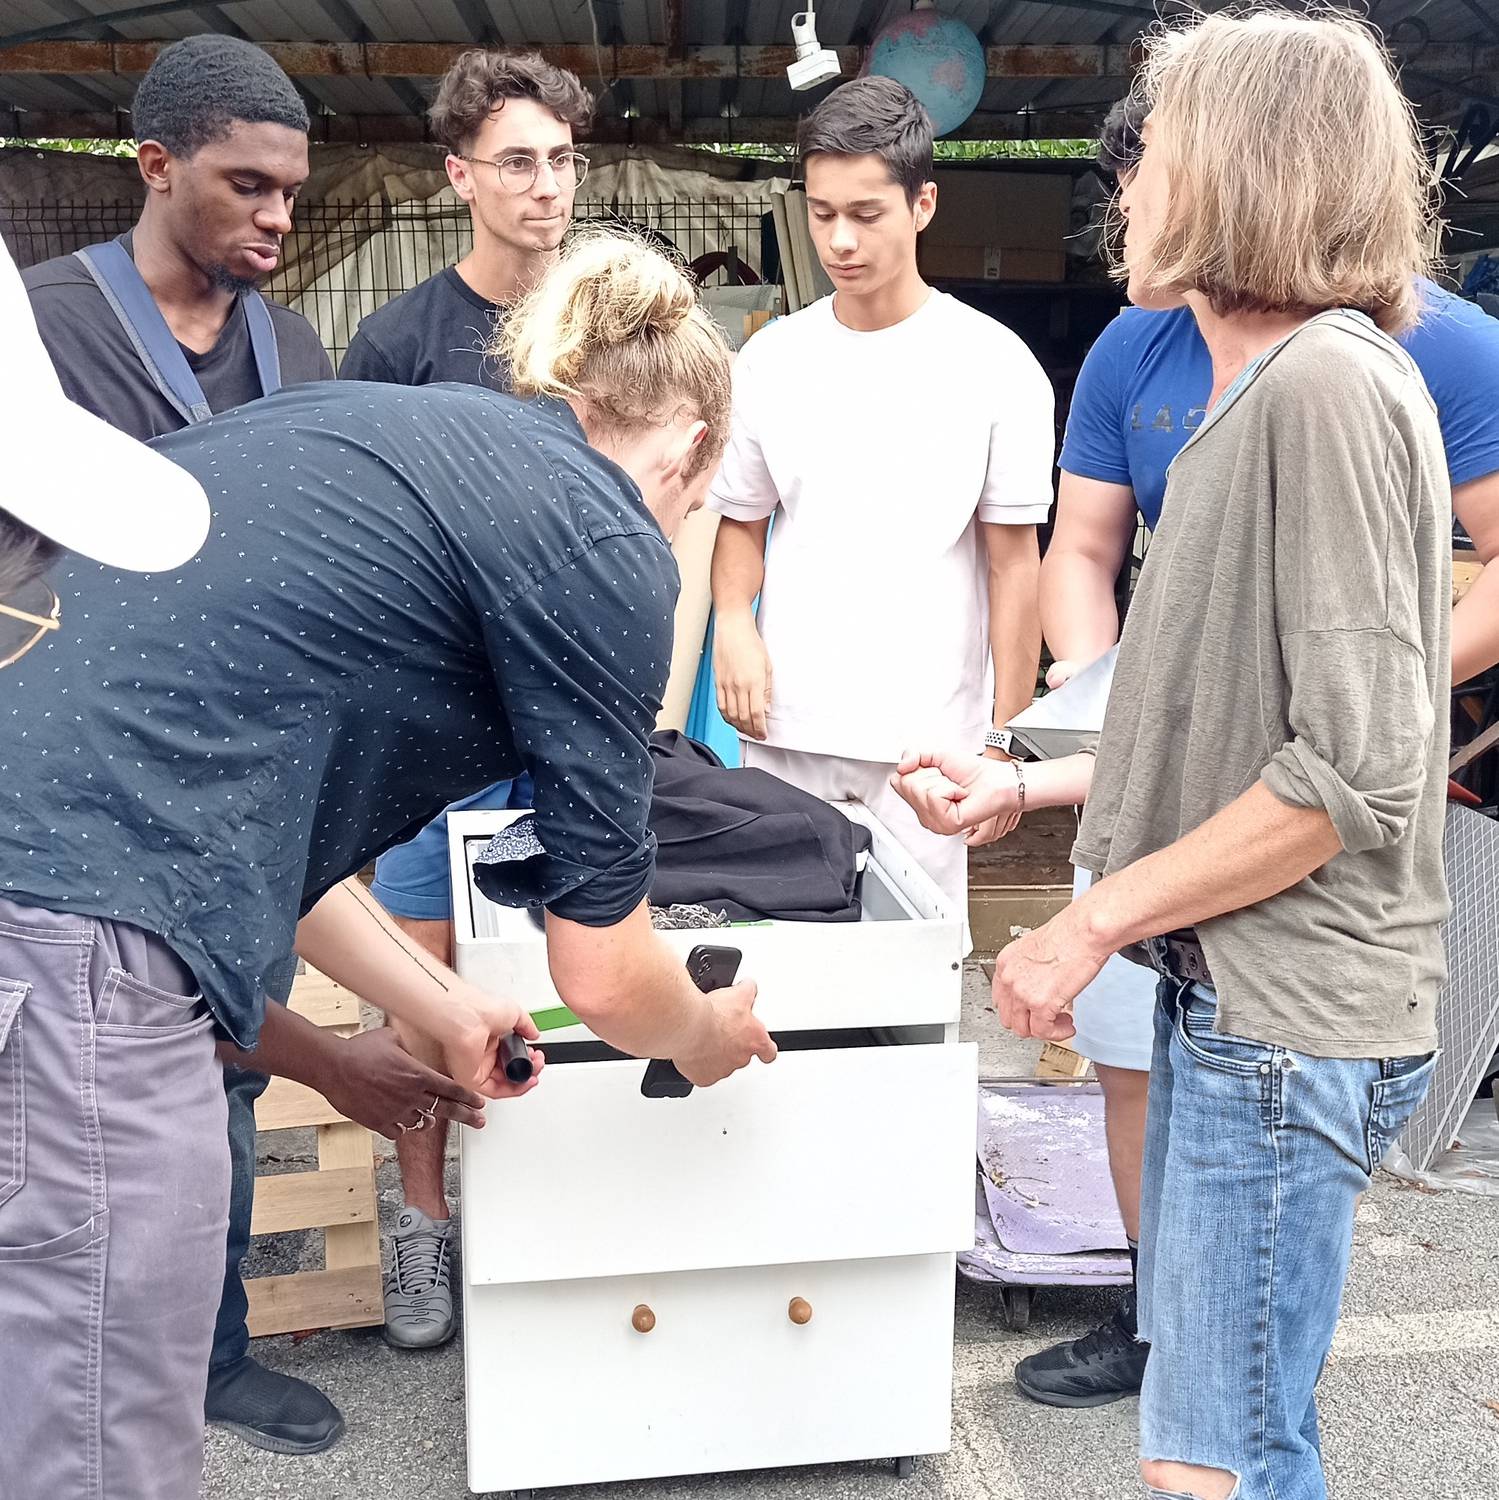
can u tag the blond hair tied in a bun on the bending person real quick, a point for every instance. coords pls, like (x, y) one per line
(616, 325)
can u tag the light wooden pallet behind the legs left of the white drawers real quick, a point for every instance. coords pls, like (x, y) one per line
(338, 1199)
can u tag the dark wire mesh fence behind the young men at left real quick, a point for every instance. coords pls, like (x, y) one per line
(343, 262)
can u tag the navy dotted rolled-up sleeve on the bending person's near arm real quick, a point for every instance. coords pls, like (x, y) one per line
(581, 661)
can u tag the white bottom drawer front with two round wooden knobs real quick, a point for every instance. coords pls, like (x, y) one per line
(562, 1390)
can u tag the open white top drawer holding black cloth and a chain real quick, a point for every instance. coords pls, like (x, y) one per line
(900, 967)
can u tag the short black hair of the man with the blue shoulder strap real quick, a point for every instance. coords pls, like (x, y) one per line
(202, 88)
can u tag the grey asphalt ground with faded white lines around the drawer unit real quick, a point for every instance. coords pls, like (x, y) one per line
(1410, 1400)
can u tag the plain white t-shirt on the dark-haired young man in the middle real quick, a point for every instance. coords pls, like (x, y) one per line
(883, 452)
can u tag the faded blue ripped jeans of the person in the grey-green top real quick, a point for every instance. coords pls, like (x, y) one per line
(1255, 1157)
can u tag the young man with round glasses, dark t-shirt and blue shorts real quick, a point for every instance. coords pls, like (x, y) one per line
(508, 124)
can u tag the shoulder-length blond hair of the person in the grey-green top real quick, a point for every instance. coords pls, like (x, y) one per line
(1297, 175)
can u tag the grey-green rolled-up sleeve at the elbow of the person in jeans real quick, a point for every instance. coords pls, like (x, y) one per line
(1363, 724)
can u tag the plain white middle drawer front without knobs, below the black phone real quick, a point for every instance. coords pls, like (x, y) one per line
(823, 1156)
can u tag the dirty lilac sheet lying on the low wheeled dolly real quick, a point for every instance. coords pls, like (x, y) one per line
(1044, 1166)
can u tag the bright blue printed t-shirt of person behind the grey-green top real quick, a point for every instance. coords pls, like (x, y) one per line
(1146, 383)
